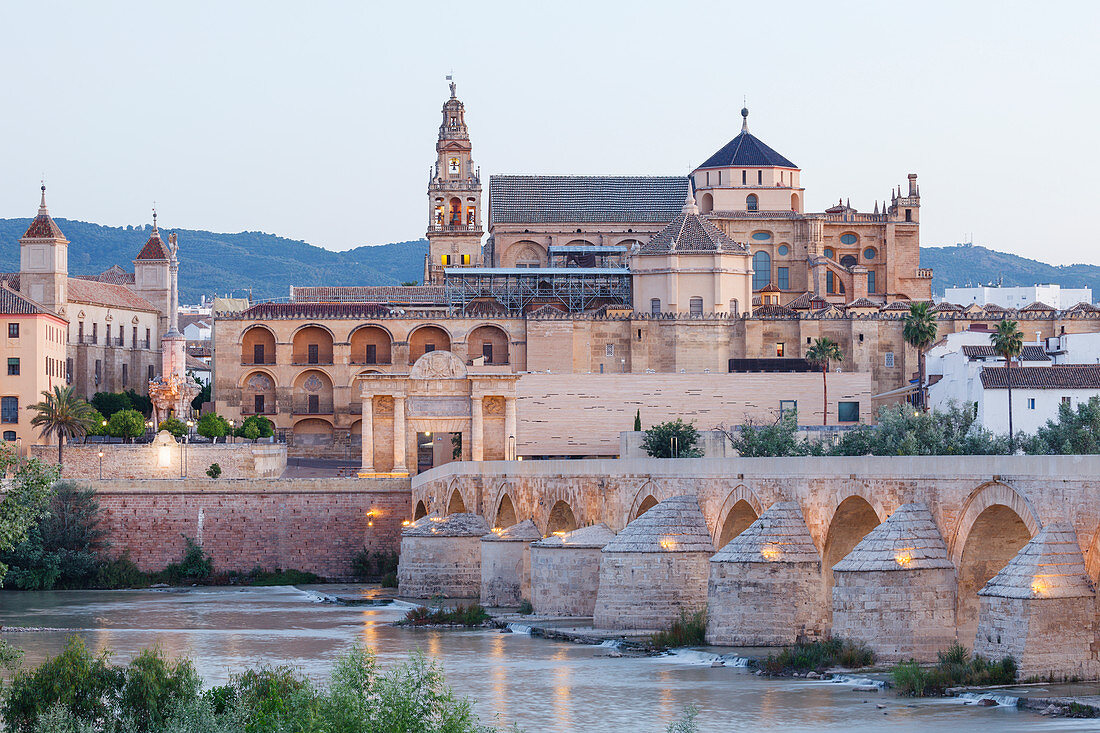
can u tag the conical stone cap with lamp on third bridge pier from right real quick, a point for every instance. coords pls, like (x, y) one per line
(779, 535)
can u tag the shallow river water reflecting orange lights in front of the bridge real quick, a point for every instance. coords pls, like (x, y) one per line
(538, 684)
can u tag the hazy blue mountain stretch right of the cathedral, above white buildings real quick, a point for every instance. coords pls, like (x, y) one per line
(970, 266)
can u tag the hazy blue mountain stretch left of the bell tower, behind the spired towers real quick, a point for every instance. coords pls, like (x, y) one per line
(213, 264)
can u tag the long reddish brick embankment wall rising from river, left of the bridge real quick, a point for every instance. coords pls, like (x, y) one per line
(316, 526)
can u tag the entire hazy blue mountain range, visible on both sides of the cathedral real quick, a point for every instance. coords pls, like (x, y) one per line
(269, 265)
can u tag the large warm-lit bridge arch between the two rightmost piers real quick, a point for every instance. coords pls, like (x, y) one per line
(996, 523)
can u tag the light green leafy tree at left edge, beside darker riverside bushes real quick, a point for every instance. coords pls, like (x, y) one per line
(26, 498)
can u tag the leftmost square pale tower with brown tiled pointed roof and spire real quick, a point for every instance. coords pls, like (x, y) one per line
(43, 261)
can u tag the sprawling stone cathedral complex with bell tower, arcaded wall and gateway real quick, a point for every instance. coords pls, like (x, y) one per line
(595, 298)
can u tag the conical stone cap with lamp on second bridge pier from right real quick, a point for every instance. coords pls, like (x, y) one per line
(908, 541)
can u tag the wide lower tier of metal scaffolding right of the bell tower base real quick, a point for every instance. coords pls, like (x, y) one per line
(516, 290)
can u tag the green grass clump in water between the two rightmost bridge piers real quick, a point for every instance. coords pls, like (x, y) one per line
(955, 669)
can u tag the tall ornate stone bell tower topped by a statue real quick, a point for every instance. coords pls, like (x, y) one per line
(455, 229)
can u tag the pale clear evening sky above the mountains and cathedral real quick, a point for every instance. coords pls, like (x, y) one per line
(318, 122)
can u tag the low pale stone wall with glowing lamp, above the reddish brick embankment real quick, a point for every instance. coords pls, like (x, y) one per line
(238, 461)
